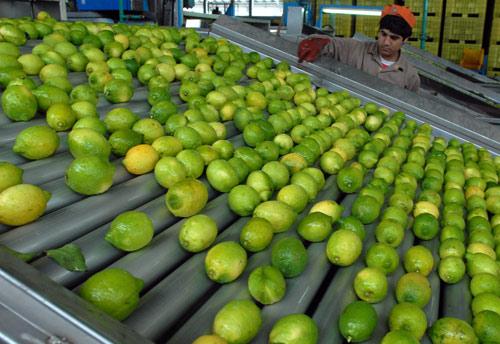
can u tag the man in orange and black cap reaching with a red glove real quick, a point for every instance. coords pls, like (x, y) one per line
(382, 58)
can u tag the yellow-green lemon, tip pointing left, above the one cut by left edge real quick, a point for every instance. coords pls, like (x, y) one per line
(36, 142)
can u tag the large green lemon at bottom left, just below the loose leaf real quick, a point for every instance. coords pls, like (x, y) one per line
(114, 291)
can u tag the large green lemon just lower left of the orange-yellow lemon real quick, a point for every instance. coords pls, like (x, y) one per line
(90, 175)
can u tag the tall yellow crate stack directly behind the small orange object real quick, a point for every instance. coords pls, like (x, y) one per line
(463, 27)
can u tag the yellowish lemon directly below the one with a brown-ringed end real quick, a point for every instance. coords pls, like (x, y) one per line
(197, 233)
